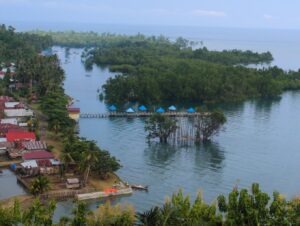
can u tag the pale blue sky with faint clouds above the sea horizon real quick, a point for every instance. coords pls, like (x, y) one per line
(209, 13)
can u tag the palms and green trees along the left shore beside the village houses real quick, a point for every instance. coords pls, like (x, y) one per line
(42, 77)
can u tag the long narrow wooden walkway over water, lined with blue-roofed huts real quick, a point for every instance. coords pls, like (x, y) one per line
(136, 114)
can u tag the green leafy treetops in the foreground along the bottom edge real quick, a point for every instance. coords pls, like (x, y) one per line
(240, 208)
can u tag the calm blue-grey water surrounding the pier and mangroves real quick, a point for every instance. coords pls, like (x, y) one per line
(259, 144)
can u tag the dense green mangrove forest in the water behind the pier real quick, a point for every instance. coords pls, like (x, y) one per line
(155, 71)
